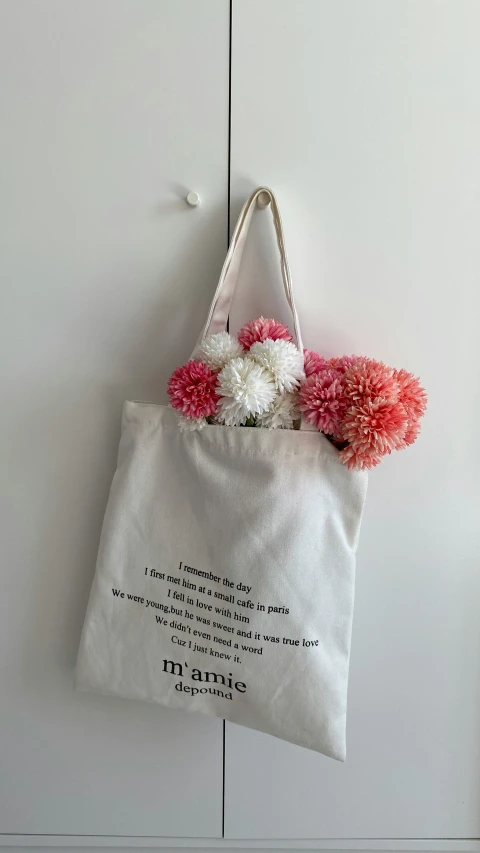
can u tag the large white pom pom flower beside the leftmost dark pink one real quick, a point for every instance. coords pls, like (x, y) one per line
(245, 389)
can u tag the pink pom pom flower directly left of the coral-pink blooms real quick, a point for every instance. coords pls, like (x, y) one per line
(323, 402)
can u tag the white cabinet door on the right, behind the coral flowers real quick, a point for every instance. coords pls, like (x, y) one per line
(365, 118)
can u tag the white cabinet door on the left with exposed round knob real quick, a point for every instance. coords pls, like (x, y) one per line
(111, 111)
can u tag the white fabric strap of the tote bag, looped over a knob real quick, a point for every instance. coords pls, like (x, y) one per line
(221, 303)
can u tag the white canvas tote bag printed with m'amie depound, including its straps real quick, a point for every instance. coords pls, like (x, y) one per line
(225, 575)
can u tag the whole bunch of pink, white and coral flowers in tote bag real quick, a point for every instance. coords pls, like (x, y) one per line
(261, 379)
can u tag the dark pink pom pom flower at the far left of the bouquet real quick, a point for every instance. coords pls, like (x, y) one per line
(192, 390)
